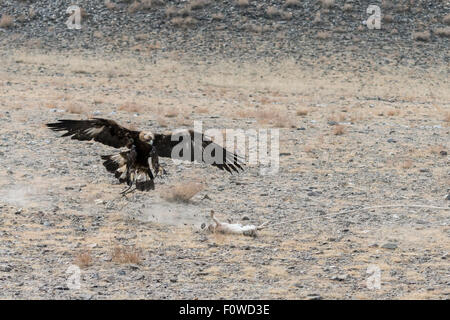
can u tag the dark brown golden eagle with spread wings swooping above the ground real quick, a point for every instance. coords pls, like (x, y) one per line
(133, 166)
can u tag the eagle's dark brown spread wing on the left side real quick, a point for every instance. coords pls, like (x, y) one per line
(101, 130)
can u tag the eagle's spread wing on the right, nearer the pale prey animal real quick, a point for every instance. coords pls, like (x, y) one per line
(165, 144)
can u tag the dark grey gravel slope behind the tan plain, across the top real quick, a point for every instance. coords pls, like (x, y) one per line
(223, 28)
